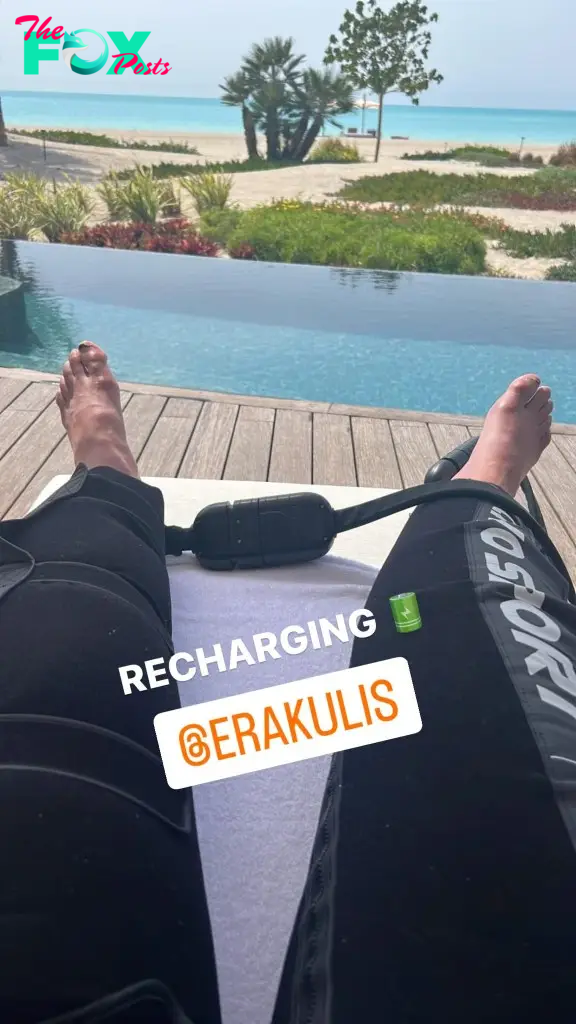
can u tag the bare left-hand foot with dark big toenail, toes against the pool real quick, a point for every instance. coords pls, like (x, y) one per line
(92, 412)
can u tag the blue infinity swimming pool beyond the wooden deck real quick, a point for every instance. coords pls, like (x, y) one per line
(368, 338)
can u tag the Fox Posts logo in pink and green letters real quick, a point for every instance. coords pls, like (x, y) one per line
(45, 42)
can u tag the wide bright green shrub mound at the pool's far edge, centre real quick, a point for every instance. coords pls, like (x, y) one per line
(336, 237)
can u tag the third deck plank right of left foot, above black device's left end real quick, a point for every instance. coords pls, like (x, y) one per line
(208, 452)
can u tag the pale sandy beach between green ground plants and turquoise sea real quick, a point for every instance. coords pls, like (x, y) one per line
(313, 183)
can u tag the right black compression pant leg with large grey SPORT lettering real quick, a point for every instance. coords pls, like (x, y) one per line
(443, 883)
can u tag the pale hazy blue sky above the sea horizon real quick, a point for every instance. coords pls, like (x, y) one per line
(509, 54)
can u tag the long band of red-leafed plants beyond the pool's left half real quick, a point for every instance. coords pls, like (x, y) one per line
(177, 236)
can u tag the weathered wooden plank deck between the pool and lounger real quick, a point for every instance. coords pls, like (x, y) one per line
(175, 433)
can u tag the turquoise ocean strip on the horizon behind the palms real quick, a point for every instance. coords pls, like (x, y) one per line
(181, 114)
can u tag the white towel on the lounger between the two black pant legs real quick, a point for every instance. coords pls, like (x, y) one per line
(257, 832)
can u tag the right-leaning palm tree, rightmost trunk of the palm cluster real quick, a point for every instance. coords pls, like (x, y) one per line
(323, 98)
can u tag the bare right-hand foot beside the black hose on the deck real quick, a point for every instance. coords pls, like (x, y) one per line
(516, 433)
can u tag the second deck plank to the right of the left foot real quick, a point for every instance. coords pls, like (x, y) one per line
(168, 444)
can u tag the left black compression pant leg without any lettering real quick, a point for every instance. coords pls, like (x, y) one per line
(101, 885)
